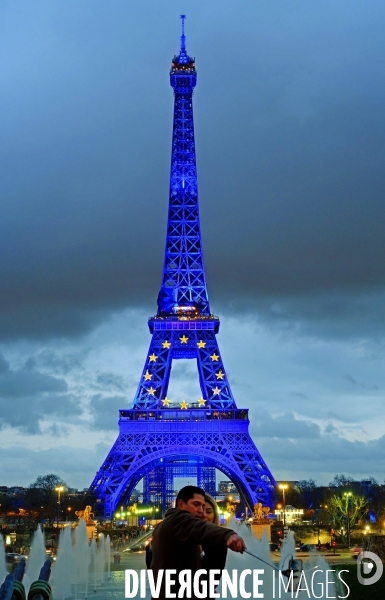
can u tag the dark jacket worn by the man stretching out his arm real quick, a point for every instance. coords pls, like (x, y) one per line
(176, 543)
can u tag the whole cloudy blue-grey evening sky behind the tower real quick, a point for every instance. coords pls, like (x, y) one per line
(290, 130)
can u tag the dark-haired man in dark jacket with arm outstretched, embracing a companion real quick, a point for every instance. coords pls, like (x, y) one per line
(177, 539)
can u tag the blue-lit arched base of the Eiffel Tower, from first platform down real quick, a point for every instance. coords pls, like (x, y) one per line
(206, 439)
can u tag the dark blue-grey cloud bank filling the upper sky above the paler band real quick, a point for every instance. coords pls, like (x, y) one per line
(289, 126)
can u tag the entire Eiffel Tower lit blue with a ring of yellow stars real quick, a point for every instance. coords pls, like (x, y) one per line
(159, 440)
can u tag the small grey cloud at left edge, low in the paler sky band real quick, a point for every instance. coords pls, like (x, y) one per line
(28, 396)
